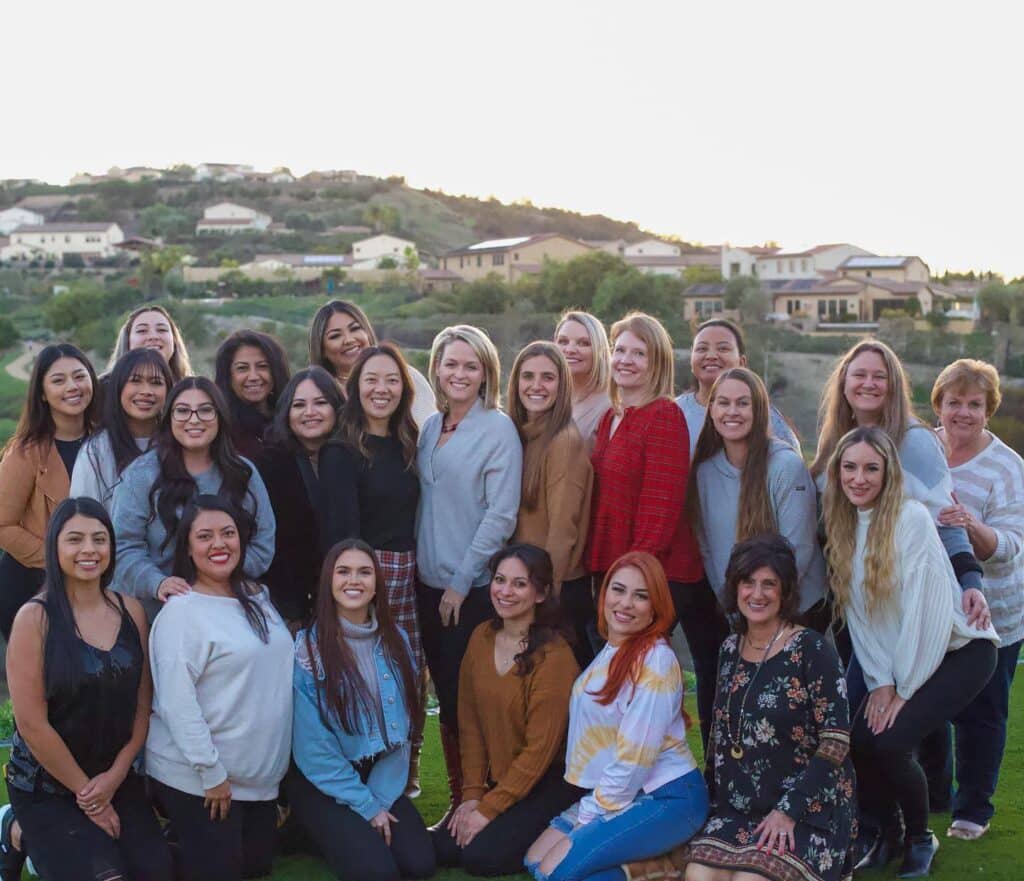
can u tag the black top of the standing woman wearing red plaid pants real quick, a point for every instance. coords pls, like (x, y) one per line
(373, 499)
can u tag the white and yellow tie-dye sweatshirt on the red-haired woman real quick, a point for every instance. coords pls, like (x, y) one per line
(637, 742)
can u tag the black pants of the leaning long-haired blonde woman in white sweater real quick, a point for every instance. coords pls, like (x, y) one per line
(888, 774)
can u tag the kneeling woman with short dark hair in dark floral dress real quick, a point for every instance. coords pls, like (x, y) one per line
(784, 784)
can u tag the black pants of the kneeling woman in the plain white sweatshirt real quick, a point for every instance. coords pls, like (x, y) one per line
(240, 847)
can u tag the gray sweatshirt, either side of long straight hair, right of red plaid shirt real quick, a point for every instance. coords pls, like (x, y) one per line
(794, 501)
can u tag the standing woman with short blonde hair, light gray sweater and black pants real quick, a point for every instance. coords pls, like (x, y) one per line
(470, 459)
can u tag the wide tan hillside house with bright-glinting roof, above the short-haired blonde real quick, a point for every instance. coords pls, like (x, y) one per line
(513, 259)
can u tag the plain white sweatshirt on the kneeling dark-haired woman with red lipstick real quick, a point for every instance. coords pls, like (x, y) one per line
(223, 698)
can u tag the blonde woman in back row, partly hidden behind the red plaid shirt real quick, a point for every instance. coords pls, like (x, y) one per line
(582, 339)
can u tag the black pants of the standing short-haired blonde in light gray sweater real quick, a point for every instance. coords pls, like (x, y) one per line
(445, 647)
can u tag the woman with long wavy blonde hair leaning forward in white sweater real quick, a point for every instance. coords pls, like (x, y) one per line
(921, 659)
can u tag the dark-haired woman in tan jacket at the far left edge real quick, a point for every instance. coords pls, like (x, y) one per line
(61, 411)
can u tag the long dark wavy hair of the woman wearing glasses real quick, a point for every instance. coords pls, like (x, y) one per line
(175, 487)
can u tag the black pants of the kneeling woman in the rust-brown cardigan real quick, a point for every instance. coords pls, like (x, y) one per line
(501, 846)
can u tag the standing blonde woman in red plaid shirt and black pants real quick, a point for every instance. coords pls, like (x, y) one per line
(642, 465)
